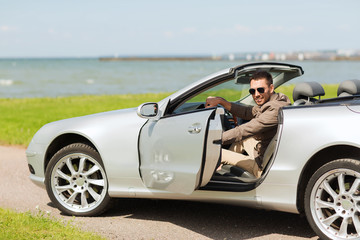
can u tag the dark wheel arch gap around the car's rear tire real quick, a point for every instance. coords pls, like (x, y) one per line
(320, 158)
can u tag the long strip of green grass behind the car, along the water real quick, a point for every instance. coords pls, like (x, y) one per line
(21, 118)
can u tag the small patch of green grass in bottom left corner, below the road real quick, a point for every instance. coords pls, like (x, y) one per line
(27, 226)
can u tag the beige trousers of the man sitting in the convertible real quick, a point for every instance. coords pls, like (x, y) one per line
(234, 156)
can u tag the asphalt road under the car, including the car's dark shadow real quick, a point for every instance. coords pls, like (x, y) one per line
(151, 219)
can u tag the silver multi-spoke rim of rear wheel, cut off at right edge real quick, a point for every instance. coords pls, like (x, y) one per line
(335, 204)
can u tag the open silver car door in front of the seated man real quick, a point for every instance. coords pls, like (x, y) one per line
(180, 153)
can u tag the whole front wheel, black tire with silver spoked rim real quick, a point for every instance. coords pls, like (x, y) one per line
(76, 181)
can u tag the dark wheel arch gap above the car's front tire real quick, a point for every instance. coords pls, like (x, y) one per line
(63, 140)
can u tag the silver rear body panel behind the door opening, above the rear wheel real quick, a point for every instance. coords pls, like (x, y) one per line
(291, 156)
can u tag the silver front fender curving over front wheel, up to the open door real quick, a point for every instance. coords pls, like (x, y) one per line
(121, 128)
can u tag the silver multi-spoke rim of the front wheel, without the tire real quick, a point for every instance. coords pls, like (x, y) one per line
(78, 182)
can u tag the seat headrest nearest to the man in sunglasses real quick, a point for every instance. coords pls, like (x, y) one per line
(308, 90)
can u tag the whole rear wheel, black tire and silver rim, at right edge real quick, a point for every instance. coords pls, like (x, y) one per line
(332, 200)
